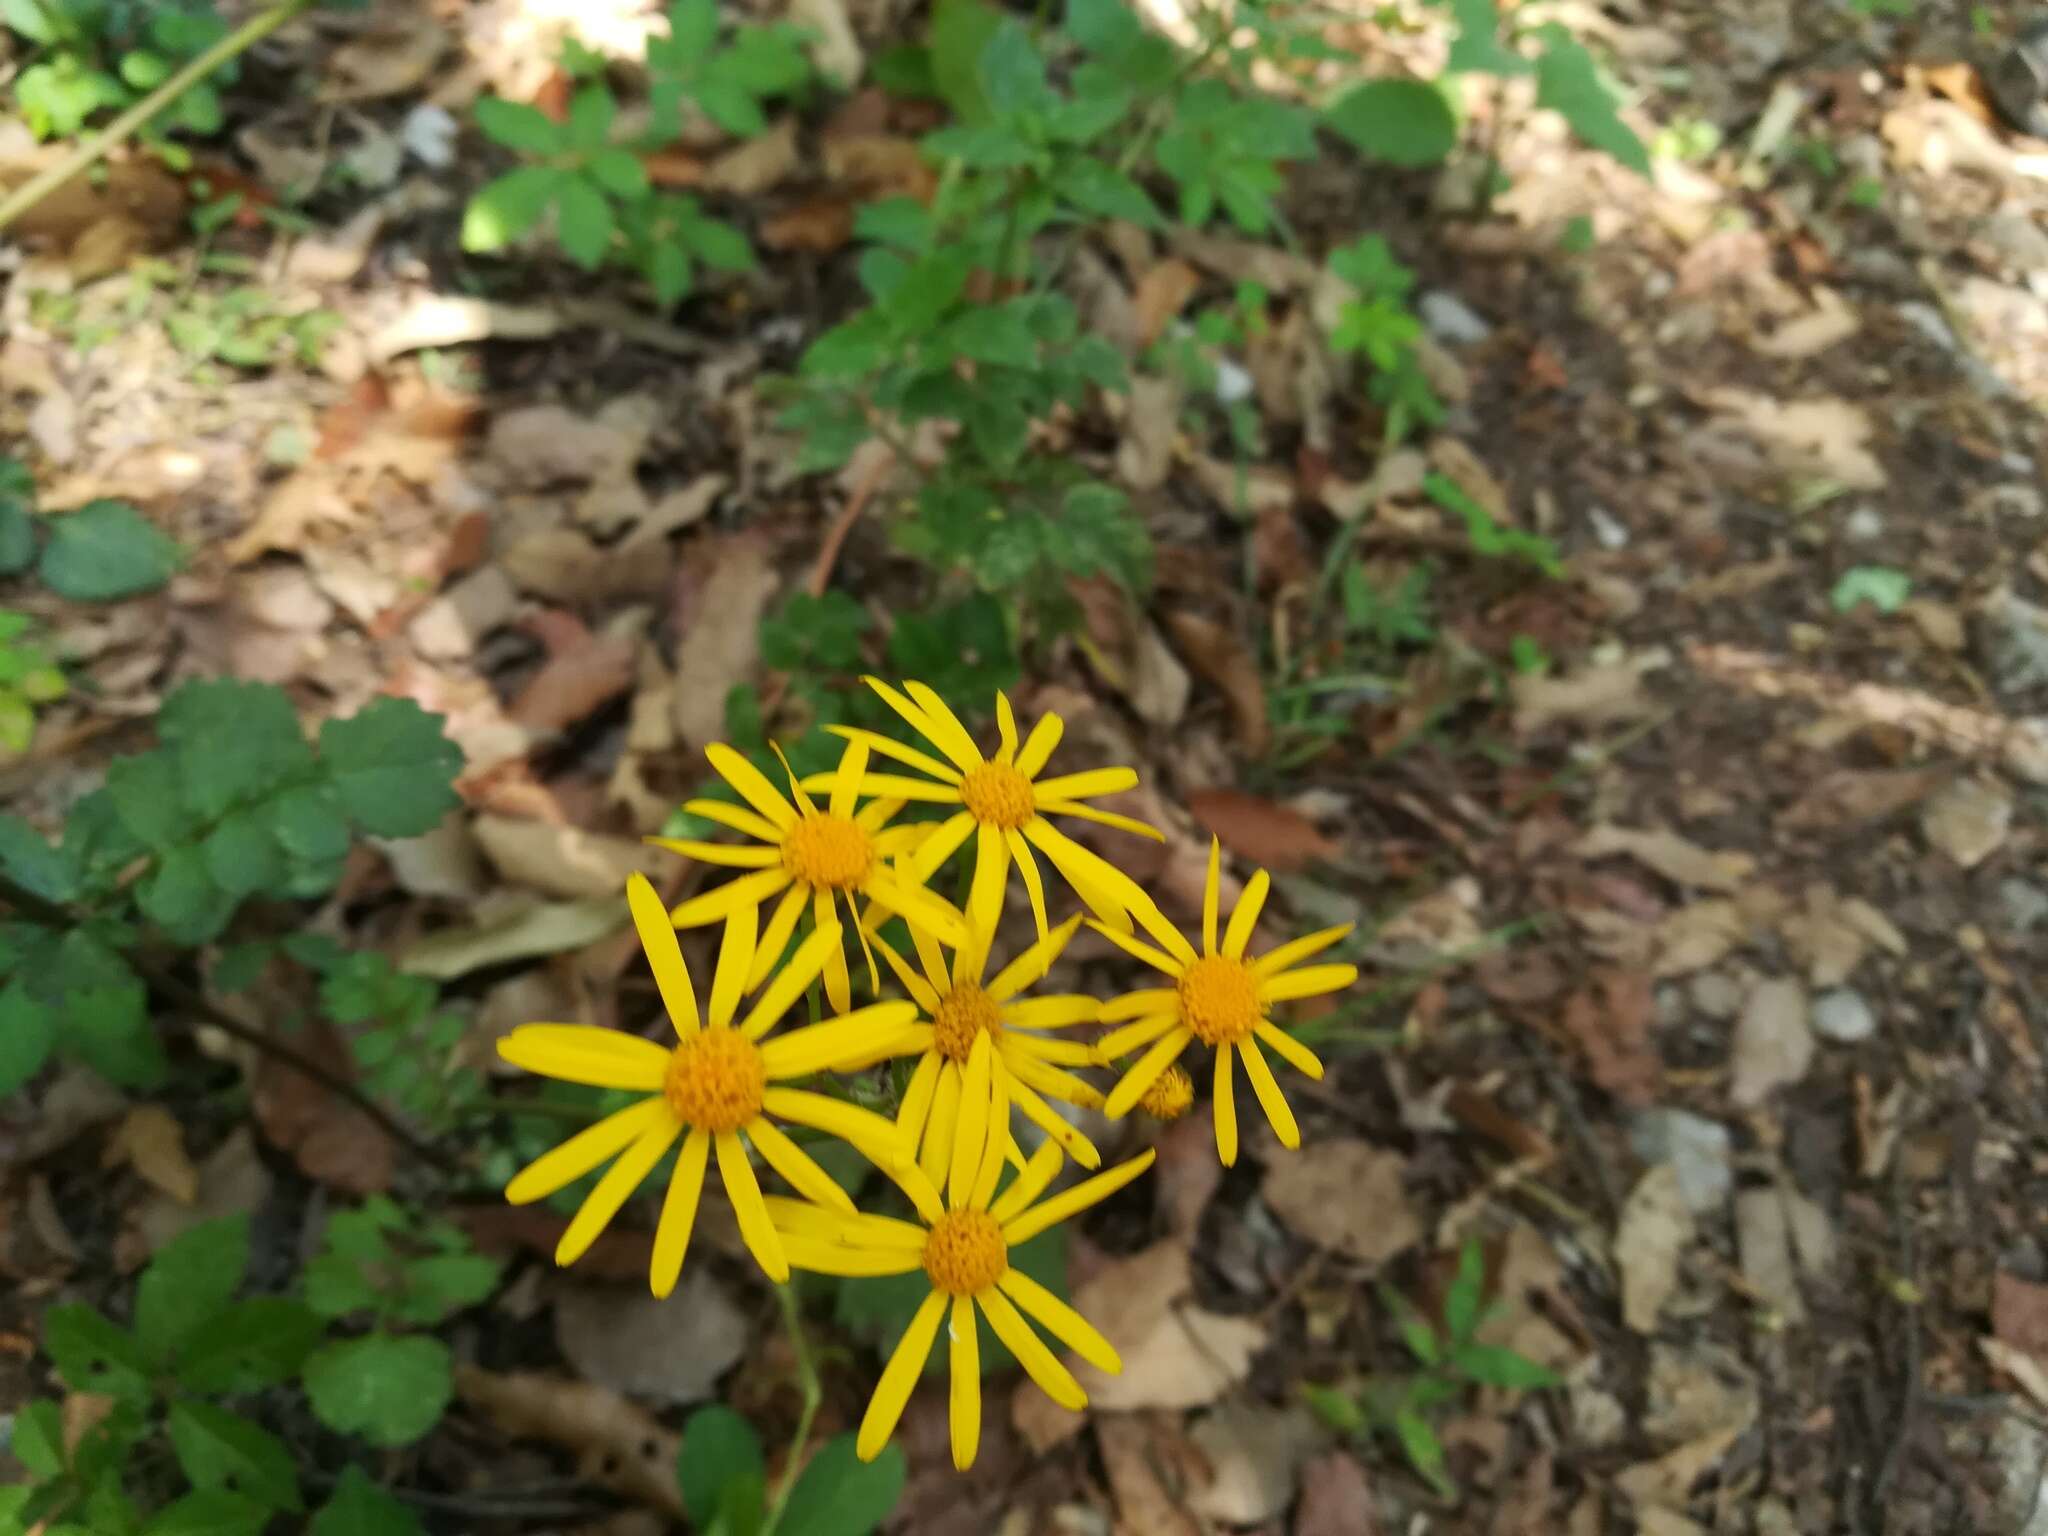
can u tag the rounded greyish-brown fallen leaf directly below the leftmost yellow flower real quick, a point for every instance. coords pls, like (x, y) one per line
(624, 1338)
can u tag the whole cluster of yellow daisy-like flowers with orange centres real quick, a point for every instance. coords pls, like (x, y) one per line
(982, 1048)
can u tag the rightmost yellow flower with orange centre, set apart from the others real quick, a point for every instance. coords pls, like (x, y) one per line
(1220, 998)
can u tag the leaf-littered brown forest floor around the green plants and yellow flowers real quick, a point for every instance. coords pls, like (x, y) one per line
(1705, 982)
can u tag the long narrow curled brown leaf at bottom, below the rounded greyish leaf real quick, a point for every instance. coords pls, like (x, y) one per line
(617, 1443)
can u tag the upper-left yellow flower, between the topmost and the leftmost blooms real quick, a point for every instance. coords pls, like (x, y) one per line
(808, 855)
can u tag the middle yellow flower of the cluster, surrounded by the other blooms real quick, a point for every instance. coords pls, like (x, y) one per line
(959, 1013)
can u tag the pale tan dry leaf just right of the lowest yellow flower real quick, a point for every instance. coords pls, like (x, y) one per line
(1175, 1353)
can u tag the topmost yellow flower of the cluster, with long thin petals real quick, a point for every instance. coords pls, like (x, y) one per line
(1002, 804)
